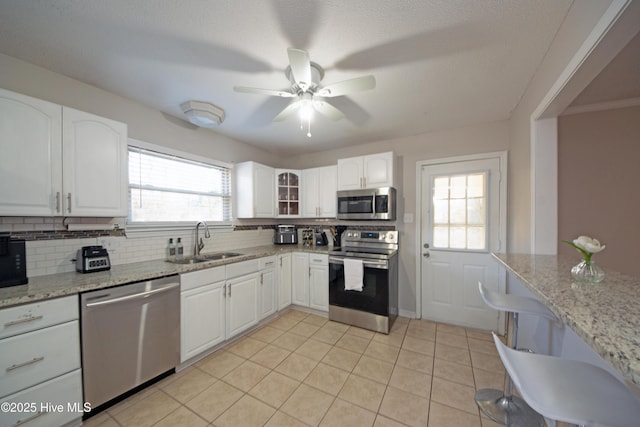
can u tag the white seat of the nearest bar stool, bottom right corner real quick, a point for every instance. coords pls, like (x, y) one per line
(569, 390)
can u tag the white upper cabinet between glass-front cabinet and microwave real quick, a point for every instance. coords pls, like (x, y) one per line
(319, 187)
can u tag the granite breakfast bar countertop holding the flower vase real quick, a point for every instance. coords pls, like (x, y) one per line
(605, 315)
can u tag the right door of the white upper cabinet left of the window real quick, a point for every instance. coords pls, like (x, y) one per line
(95, 176)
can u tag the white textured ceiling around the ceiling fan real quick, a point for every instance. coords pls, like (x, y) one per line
(438, 63)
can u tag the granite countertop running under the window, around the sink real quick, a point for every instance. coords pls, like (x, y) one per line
(63, 284)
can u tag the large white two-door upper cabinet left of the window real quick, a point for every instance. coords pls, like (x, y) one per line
(57, 161)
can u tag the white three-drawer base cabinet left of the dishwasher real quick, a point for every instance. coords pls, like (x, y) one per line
(40, 363)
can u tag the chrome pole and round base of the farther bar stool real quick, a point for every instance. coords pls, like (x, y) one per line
(502, 406)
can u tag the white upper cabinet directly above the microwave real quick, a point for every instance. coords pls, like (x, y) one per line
(372, 171)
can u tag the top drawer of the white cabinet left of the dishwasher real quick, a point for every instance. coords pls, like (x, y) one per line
(29, 317)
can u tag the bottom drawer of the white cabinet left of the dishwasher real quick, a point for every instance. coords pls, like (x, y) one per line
(40, 405)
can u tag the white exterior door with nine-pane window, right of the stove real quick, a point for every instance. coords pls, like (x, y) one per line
(462, 222)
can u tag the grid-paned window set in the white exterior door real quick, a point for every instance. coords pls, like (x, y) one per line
(459, 212)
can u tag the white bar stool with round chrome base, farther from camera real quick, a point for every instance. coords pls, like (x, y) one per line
(501, 405)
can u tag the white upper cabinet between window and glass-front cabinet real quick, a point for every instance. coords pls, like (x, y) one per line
(255, 190)
